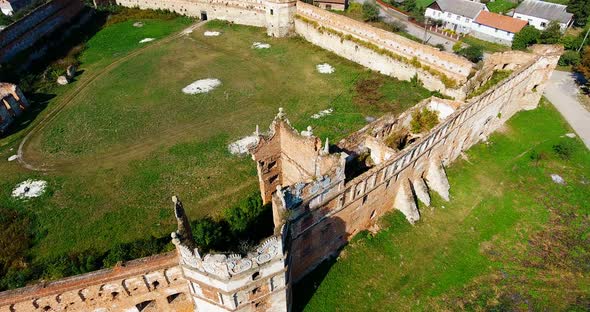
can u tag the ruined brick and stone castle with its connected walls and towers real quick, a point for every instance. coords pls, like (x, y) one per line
(322, 194)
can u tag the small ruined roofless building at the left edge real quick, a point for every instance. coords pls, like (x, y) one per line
(12, 104)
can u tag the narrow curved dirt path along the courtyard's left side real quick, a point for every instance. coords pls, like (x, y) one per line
(35, 164)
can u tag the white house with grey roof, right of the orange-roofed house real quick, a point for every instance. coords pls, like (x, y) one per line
(540, 13)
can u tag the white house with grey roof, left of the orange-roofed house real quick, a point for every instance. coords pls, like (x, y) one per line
(456, 15)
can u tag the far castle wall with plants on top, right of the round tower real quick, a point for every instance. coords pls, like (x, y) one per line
(381, 50)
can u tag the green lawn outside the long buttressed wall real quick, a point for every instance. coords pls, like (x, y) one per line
(510, 239)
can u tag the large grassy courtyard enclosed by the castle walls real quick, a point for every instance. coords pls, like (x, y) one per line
(123, 138)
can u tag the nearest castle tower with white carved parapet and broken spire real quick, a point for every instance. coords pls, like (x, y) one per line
(257, 281)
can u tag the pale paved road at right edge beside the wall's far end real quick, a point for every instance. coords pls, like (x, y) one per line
(563, 91)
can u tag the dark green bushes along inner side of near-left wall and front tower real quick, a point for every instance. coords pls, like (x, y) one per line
(238, 230)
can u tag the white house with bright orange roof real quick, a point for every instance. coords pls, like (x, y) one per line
(495, 27)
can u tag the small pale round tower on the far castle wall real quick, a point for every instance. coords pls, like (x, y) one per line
(280, 17)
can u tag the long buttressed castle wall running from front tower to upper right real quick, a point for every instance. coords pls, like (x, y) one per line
(323, 223)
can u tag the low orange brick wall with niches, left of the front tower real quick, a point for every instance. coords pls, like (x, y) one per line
(154, 282)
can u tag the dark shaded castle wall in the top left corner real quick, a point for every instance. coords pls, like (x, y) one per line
(27, 31)
